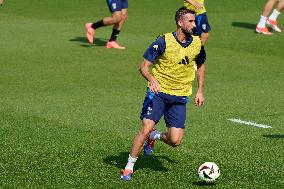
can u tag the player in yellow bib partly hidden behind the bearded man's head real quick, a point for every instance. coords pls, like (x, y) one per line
(202, 25)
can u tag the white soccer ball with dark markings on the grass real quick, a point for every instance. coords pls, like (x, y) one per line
(208, 172)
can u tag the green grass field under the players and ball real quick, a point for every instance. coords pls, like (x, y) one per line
(69, 110)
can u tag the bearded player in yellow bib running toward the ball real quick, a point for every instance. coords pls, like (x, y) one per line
(168, 67)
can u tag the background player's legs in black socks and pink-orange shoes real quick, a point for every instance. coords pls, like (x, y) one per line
(118, 8)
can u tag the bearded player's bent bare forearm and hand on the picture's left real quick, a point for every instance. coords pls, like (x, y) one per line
(144, 70)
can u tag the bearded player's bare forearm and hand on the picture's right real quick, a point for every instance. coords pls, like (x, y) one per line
(199, 99)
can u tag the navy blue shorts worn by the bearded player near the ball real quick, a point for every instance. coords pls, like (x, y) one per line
(173, 108)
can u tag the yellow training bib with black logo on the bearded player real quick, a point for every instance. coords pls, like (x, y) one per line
(174, 69)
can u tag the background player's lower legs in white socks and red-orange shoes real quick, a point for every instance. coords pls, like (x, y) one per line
(271, 21)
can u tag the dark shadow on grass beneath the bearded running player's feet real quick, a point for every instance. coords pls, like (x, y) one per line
(152, 162)
